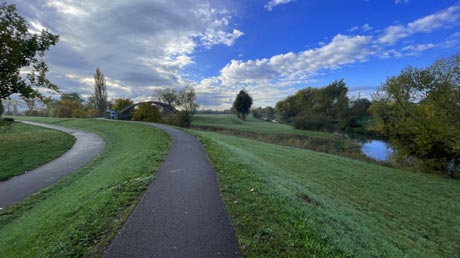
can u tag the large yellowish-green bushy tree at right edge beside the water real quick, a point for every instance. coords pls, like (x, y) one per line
(419, 110)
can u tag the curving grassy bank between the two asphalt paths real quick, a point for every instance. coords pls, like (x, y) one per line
(79, 214)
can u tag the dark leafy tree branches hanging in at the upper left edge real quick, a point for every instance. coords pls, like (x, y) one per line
(19, 49)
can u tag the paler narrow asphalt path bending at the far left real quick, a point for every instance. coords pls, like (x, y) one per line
(87, 146)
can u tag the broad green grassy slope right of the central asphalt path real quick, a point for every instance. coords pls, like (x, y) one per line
(288, 202)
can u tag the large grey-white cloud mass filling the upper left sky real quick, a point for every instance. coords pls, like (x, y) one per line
(140, 43)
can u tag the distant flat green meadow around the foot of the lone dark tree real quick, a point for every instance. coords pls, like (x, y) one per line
(252, 125)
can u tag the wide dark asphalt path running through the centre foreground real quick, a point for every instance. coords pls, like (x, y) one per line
(182, 213)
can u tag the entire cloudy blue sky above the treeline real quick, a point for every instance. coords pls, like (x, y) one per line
(270, 48)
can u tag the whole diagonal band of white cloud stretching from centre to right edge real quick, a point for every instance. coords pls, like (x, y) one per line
(278, 74)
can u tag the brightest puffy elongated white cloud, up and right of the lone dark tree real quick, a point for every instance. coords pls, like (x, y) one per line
(297, 67)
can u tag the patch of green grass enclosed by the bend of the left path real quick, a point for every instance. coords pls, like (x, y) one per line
(25, 147)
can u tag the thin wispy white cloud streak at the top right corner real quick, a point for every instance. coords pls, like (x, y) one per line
(445, 18)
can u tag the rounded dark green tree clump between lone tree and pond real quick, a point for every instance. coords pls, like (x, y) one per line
(317, 109)
